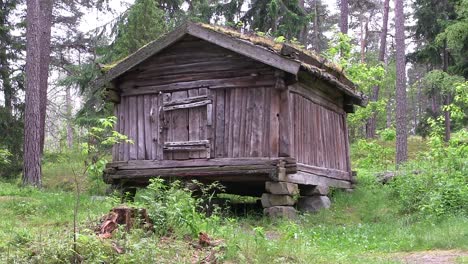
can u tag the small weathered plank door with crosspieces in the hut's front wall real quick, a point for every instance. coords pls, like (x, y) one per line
(187, 118)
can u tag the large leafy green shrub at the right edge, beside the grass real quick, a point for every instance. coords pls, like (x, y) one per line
(436, 183)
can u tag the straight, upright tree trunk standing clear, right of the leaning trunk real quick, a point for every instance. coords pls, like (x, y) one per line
(401, 123)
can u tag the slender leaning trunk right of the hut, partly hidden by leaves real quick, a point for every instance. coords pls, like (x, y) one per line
(371, 125)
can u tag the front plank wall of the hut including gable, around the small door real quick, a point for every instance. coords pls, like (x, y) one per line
(244, 104)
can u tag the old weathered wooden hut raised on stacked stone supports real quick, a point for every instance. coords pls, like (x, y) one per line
(208, 103)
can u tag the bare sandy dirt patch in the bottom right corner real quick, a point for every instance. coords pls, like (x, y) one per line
(431, 257)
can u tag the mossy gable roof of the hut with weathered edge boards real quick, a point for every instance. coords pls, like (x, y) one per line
(282, 56)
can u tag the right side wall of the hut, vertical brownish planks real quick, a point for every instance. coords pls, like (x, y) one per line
(318, 131)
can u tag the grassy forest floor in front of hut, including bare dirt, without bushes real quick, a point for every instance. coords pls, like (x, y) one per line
(36, 226)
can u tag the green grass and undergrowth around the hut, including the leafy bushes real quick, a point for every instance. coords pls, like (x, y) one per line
(422, 208)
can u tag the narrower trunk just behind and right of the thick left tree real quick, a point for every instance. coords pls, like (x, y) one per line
(46, 25)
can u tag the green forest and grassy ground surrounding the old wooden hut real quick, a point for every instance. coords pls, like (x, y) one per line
(409, 146)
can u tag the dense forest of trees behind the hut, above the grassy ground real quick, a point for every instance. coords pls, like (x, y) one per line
(435, 59)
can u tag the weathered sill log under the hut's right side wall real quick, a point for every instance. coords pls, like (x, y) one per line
(305, 178)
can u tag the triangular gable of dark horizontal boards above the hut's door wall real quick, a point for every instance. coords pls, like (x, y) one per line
(194, 63)
